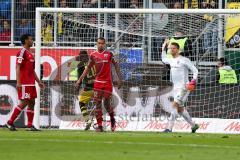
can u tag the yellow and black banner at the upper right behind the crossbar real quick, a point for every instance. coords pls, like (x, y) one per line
(232, 37)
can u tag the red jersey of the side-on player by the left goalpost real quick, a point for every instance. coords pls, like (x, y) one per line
(27, 65)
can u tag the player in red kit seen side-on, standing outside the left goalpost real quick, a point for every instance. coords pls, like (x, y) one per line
(26, 76)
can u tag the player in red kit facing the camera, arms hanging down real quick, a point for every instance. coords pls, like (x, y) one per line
(102, 59)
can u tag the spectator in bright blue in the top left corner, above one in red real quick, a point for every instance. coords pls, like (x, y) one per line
(5, 9)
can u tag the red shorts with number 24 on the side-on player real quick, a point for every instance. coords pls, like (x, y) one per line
(27, 92)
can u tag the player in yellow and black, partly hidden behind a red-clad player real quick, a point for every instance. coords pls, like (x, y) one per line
(86, 92)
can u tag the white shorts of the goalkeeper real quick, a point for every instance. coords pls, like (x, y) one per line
(180, 95)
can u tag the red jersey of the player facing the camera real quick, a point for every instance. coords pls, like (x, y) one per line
(102, 63)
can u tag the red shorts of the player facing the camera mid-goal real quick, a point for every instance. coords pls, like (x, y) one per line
(102, 90)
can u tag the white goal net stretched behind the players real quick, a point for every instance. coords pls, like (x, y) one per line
(135, 37)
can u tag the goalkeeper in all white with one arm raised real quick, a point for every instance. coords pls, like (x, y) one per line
(180, 67)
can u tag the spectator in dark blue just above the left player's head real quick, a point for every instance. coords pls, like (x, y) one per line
(25, 27)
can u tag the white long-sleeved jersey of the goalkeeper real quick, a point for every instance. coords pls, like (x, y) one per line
(180, 67)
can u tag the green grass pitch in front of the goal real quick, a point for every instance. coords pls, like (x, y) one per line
(69, 145)
